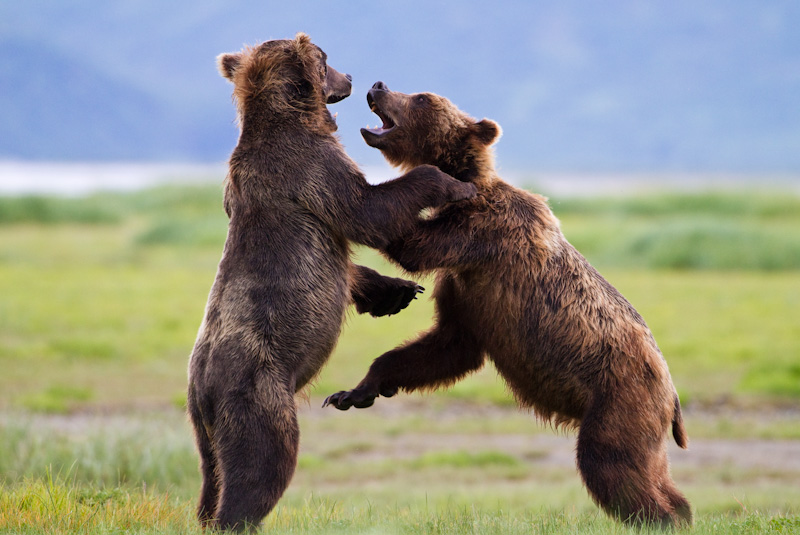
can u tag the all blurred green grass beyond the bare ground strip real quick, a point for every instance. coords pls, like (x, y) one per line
(106, 313)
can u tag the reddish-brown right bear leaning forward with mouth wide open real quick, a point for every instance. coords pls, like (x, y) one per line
(510, 287)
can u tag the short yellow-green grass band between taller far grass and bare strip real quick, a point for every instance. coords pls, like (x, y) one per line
(123, 333)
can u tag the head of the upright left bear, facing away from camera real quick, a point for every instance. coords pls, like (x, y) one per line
(286, 78)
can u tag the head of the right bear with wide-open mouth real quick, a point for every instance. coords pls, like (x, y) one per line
(425, 128)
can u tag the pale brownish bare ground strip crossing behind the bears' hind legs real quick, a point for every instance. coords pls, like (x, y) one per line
(385, 432)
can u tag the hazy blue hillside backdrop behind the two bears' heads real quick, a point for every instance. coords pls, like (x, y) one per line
(617, 86)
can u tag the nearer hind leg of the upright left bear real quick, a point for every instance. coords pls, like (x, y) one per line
(257, 450)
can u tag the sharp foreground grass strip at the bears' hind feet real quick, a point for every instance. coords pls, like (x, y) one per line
(55, 506)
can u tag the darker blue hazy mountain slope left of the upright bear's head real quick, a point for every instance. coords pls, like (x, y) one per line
(56, 107)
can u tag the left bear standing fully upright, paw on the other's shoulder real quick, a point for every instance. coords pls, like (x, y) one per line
(276, 308)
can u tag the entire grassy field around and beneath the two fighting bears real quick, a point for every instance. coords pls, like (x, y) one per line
(101, 297)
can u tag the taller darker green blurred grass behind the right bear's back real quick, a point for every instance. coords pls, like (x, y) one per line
(706, 231)
